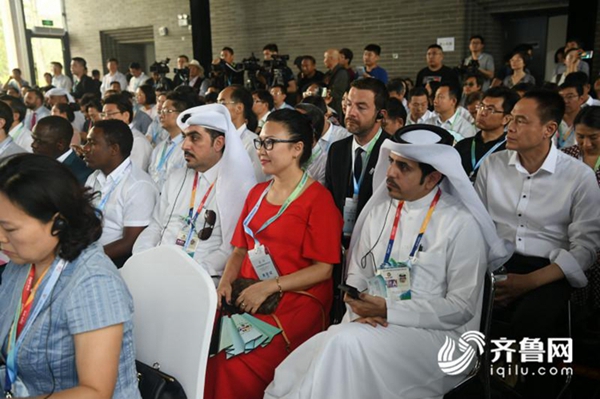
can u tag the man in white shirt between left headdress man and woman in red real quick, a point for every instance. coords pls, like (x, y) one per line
(238, 101)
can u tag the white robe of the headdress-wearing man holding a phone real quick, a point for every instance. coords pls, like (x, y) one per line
(353, 360)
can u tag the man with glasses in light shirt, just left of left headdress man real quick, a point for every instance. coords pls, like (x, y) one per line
(167, 156)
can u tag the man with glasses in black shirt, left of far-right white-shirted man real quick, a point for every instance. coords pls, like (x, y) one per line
(493, 115)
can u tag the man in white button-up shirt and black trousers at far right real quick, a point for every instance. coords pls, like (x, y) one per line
(546, 203)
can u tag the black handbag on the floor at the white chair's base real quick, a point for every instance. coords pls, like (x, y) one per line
(154, 384)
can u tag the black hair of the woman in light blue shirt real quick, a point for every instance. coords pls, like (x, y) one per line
(43, 187)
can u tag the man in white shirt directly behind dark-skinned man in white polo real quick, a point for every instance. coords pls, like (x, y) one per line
(119, 107)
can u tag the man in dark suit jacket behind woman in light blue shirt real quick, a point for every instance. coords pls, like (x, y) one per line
(52, 137)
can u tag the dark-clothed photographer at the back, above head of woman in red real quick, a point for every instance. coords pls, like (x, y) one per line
(275, 70)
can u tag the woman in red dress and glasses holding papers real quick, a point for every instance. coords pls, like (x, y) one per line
(304, 244)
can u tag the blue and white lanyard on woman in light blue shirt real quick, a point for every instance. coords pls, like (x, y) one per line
(13, 343)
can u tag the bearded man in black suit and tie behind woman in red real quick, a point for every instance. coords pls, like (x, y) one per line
(349, 175)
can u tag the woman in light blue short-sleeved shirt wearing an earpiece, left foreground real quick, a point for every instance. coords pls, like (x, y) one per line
(66, 316)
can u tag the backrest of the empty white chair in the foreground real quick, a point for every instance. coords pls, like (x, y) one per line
(175, 302)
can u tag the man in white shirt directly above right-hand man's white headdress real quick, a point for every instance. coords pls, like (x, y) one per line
(448, 114)
